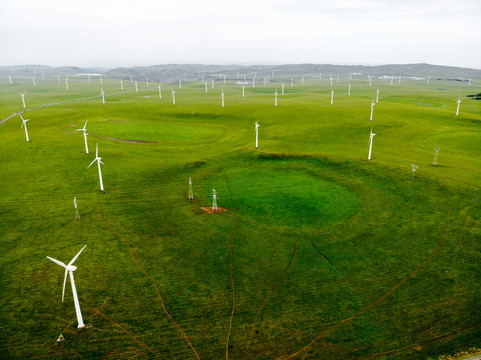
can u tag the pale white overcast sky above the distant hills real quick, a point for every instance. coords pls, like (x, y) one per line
(142, 32)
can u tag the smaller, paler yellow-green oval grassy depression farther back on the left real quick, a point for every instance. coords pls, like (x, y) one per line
(159, 131)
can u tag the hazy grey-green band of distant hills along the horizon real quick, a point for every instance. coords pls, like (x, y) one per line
(174, 72)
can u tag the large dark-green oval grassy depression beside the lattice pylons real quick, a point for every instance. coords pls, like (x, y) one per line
(275, 195)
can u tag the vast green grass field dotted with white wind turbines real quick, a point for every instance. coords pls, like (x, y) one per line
(320, 254)
